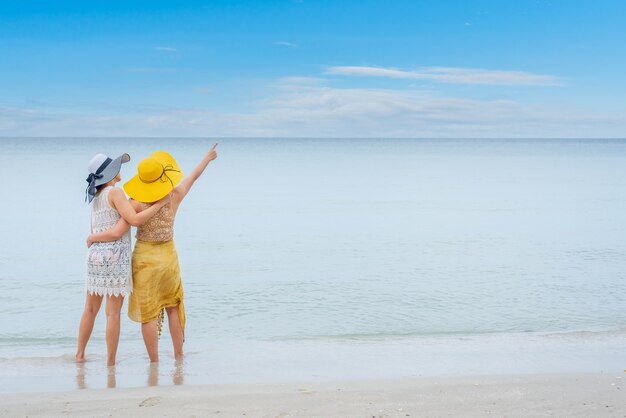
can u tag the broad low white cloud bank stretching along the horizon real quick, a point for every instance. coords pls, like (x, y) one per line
(304, 107)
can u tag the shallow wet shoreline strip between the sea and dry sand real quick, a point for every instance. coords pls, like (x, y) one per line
(276, 362)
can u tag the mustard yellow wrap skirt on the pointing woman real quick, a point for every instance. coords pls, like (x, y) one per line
(156, 283)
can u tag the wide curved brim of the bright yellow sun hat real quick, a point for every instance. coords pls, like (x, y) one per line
(151, 192)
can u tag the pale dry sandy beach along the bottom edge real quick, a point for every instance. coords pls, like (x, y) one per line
(562, 395)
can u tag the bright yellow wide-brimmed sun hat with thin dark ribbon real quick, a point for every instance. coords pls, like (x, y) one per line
(156, 176)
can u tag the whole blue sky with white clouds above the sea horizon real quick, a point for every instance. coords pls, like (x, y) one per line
(304, 68)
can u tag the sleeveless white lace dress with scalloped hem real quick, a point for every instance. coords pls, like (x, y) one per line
(108, 263)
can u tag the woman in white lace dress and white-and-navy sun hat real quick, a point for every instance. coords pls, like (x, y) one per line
(108, 263)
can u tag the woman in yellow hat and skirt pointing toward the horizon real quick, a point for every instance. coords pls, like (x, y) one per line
(157, 285)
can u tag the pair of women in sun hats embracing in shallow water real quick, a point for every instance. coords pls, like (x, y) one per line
(151, 277)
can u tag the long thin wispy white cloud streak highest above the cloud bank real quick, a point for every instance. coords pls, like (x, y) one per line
(452, 75)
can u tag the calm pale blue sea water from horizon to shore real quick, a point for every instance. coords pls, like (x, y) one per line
(289, 243)
